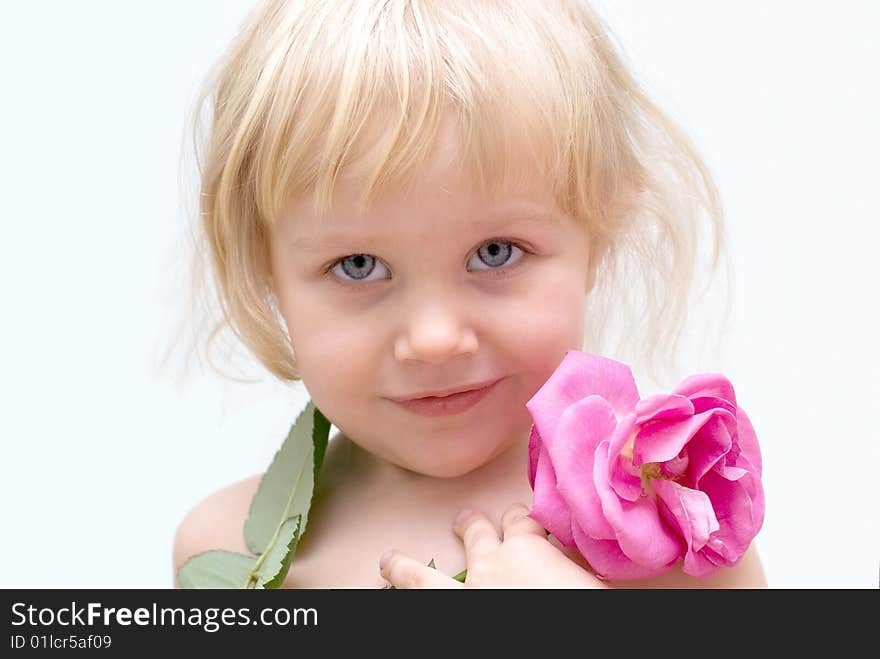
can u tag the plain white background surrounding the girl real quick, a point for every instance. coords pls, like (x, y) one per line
(103, 452)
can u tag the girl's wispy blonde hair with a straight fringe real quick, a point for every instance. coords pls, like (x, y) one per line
(291, 100)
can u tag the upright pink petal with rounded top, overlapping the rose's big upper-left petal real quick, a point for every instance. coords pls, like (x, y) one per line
(582, 426)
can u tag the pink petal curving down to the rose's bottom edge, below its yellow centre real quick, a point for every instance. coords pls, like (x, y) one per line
(640, 531)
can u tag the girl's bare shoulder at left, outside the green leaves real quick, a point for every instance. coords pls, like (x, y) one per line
(215, 522)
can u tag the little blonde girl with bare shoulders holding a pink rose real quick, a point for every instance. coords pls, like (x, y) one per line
(417, 207)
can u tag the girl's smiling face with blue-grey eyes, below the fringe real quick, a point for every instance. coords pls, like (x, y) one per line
(438, 290)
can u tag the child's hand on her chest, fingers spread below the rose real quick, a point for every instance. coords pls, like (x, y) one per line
(521, 557)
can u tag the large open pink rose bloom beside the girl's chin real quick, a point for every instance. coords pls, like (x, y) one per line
(638, 484)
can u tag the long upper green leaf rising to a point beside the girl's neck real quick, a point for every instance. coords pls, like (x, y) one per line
(286, 489)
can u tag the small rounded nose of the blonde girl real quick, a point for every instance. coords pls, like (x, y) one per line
(434, 332)
